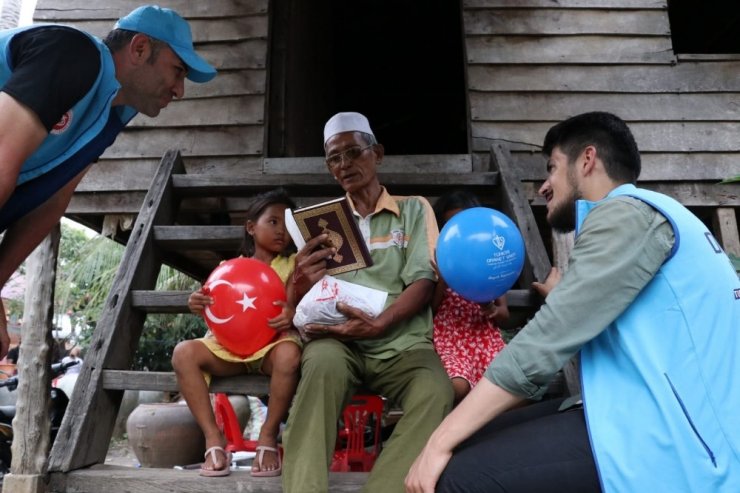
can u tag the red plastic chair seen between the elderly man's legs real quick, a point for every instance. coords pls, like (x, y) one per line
(354, 456)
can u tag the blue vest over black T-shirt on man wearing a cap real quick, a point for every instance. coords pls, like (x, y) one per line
(82, 135)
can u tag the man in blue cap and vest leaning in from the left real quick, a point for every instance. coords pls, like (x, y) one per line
(64, 97)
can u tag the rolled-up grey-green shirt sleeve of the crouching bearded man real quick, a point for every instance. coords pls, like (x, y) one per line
(622, 244)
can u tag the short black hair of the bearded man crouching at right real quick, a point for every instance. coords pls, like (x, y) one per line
(610, 135)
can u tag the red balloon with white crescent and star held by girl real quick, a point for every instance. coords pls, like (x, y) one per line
(243, 292)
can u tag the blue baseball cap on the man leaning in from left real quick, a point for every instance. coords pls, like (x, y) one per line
(167, 25)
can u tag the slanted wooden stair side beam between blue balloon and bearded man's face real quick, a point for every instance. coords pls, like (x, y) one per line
(517, 207)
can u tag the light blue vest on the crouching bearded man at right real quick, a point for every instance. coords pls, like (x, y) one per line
(661, 385)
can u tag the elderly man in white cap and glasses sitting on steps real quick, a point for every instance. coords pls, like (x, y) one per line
(391, 354)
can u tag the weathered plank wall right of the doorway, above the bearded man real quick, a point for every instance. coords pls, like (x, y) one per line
(532, 63)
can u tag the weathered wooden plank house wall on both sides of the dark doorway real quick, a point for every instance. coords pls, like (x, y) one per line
(530, 63)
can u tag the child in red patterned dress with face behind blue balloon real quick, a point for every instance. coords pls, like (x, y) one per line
(466, 334)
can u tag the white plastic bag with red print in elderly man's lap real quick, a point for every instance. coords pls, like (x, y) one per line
(319, 305)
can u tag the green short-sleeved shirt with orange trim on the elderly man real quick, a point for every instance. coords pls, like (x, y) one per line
(401, 234)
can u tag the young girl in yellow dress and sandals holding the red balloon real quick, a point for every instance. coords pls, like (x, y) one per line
(266, 240)
